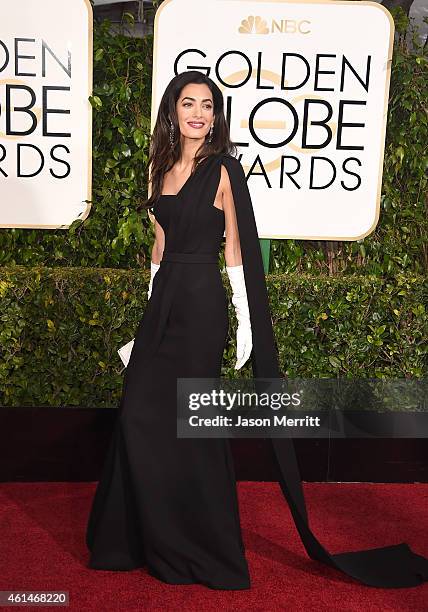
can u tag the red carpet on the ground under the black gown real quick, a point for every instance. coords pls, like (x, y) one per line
(42, 548)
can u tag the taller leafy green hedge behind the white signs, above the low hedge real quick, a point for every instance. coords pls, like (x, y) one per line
(116, 235)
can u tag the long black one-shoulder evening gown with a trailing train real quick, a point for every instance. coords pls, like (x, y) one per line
(169, 503)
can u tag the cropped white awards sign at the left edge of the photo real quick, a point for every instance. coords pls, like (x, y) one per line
(45, 119)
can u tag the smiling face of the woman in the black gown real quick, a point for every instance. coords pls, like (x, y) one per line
(195, 111)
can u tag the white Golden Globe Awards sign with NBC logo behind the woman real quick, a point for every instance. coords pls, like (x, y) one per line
(306, 101)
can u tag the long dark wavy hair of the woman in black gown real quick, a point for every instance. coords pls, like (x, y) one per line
(162, 156)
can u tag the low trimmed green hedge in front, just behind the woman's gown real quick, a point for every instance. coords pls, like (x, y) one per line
(61, 329)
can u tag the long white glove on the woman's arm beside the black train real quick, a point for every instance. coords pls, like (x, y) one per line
(244, 338)
